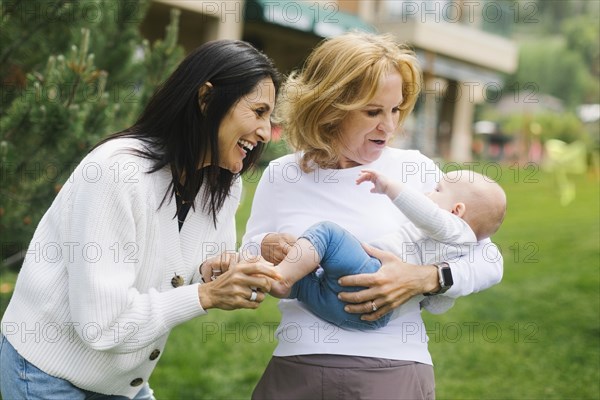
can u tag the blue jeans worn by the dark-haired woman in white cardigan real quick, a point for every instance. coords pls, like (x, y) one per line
(20, 379)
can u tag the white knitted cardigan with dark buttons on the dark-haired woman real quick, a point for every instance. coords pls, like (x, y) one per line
(94, 301)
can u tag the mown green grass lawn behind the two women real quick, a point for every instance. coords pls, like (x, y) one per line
(534, 336)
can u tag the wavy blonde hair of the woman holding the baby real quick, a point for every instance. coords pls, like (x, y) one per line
(340, 75)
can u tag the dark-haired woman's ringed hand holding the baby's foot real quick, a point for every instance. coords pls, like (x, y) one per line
(243, 285)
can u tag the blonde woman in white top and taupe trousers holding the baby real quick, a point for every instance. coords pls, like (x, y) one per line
(339, 114)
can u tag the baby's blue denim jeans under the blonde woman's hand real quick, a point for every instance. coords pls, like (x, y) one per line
(341, 254)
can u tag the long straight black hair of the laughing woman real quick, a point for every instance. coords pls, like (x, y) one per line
(177, 133)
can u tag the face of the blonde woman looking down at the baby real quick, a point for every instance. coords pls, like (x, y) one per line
(366, 132)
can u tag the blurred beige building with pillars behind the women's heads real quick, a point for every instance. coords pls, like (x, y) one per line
(462, 45)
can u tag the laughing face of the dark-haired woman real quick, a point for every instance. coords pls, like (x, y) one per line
(246, 124)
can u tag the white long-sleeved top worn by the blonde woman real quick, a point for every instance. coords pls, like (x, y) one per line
(288, 200)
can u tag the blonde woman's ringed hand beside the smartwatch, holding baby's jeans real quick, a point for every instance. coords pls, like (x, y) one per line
(393, 285)
